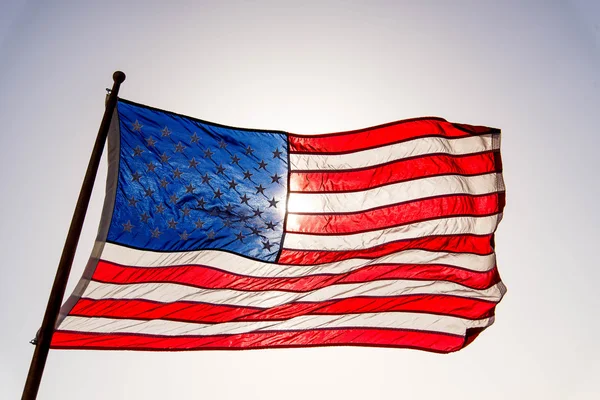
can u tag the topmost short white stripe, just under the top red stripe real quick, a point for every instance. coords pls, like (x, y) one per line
(394, 152)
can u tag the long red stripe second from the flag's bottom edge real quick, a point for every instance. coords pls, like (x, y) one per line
(186, 311)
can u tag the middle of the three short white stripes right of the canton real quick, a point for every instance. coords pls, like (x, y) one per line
(325, 203)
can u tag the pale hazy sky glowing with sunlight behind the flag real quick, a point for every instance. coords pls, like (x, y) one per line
(531, 68)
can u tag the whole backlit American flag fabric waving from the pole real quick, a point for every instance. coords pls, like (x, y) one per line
(214, 237)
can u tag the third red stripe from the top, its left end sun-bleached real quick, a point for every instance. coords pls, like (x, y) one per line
(399, 214)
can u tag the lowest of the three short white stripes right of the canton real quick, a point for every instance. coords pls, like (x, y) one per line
(358, 241)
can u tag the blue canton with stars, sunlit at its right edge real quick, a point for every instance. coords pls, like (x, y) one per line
(187, 185)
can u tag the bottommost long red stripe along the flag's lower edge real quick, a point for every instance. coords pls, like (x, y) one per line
(436, 342)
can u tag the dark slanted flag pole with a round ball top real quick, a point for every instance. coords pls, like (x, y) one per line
(42, 345)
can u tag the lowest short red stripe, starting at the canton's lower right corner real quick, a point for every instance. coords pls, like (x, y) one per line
(452, 243)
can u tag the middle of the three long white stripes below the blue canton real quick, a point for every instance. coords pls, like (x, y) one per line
(172, 292)
